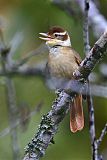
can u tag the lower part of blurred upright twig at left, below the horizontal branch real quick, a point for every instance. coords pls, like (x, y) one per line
(12, 112)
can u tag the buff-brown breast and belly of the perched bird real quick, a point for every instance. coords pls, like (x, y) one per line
(62, 65)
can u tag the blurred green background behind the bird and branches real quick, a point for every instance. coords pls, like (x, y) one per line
(31, 17)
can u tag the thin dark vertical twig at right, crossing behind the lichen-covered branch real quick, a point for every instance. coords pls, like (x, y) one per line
(94, 146)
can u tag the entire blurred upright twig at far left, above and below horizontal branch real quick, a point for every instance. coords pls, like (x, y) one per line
(11, 104)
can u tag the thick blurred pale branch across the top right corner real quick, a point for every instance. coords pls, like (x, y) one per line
(96, 19)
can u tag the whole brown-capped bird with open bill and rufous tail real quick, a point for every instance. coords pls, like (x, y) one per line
(63, 60)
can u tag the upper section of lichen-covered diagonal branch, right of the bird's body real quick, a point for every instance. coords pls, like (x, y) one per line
(96, 54)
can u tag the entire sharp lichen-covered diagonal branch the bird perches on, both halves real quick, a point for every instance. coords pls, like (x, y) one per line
(50, 122)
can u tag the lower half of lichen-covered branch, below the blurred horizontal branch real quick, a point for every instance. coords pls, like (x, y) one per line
(48, 127)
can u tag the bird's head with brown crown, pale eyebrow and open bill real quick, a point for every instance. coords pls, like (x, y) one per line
(56, 36)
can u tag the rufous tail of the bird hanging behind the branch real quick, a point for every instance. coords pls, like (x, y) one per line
(76, 115)
